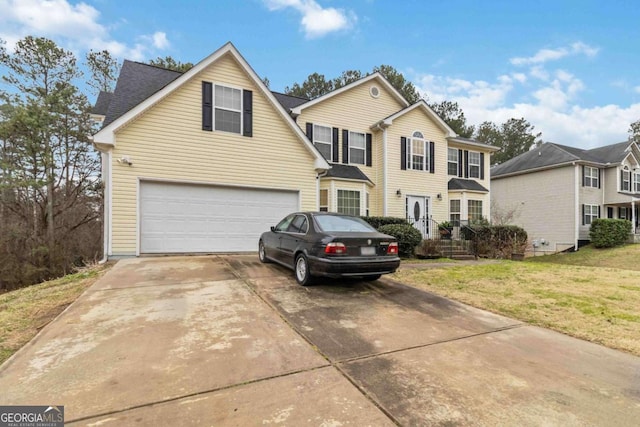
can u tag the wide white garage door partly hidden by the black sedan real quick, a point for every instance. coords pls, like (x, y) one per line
(179, 218)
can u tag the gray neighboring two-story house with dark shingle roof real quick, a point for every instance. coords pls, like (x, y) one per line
(556, 191)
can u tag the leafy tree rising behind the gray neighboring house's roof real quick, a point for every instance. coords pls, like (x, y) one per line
(514, 137)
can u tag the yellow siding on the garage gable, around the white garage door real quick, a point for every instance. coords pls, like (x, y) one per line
(167, 142)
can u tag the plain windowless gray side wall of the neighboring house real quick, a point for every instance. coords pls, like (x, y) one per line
(544, 203)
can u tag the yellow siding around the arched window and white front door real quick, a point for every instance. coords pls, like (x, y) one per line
(412, 182)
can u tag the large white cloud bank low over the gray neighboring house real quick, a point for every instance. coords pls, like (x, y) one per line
(548, 102)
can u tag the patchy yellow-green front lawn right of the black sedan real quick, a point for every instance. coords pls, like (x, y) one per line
(594, 301)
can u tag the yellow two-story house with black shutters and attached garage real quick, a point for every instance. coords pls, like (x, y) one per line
(206, 160)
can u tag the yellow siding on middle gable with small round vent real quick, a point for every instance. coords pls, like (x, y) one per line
(356, 110)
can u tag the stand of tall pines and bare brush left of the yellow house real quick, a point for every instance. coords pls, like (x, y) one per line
(51, 199)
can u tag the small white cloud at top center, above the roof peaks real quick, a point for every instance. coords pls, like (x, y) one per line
(316, 21)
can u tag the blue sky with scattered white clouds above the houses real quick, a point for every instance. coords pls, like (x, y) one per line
(569, 67)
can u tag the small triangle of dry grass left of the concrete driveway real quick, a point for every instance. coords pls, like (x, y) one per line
(25, 311)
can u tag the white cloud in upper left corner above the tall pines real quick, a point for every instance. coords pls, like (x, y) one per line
(75, 26)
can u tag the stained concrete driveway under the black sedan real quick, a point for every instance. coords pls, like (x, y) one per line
(225, 340)
